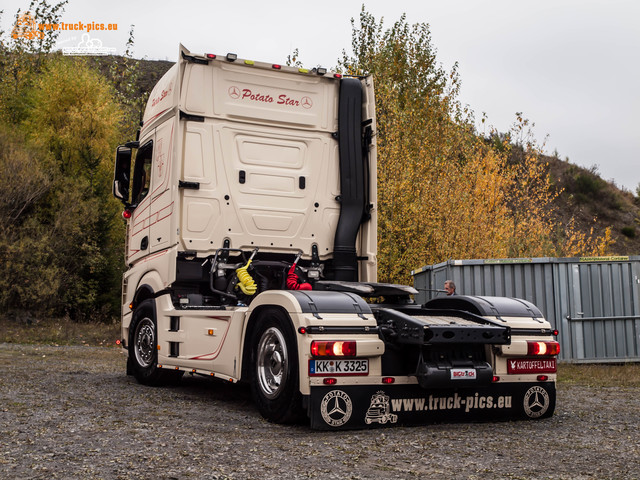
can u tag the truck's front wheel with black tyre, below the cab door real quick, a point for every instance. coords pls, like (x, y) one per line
(143, 348)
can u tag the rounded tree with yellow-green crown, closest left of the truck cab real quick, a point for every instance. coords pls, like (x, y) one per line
(73, 116)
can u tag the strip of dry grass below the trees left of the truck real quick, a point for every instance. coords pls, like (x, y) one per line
(58, 331)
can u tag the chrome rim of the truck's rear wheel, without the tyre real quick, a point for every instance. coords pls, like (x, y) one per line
(272, 362)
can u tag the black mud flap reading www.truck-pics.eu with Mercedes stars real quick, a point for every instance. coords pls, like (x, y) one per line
(365, 406)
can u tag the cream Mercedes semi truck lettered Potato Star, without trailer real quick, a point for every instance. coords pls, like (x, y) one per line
(250, 200)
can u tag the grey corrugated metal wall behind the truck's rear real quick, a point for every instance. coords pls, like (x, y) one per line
(593, 302)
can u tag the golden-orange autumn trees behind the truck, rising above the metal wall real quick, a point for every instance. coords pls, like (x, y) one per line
(445, 191)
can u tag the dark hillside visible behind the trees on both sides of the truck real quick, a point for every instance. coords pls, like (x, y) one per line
(584, 196)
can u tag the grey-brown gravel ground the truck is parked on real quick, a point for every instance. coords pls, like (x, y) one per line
(71, 412)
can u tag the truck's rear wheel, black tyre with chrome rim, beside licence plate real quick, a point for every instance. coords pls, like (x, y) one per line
(274, 368)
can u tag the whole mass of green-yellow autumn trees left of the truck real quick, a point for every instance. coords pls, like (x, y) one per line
(60, 235)
